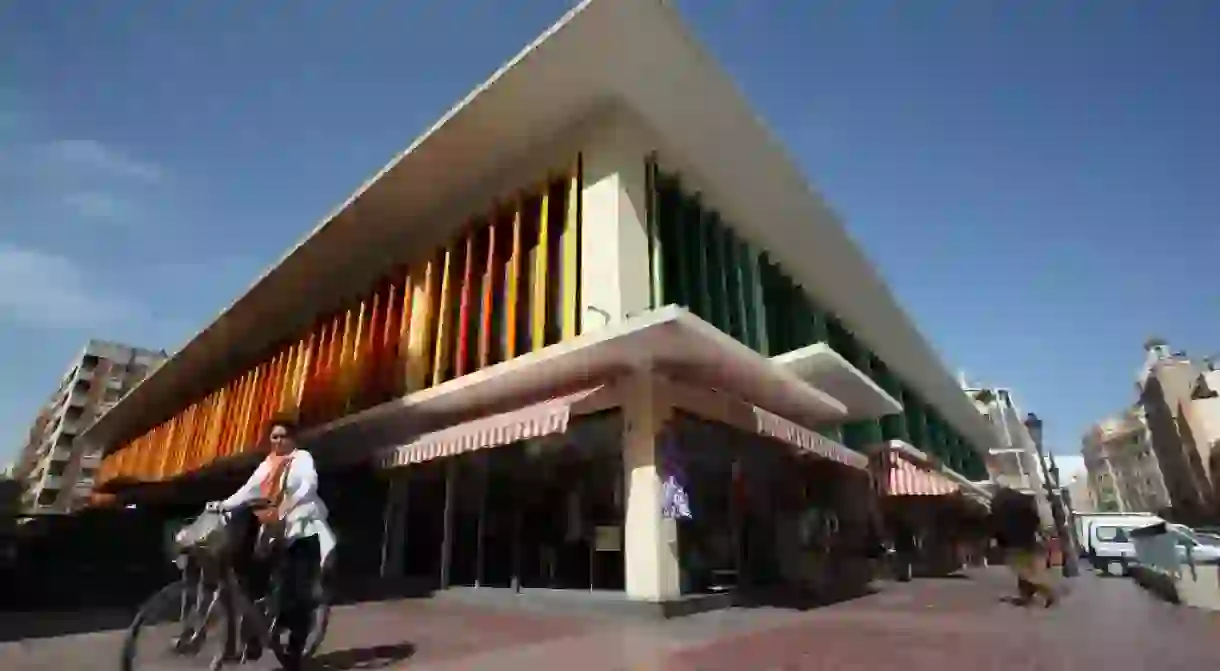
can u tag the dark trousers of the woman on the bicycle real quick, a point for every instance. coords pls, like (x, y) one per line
(295, 568)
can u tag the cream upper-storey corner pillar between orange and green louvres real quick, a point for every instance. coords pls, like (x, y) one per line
(615, 247)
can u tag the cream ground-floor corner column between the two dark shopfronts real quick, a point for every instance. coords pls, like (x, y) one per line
(651, 550)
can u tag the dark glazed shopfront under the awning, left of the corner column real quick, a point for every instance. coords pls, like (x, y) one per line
(544, 514)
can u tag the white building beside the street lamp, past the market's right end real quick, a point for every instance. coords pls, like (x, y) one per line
(1014, 461)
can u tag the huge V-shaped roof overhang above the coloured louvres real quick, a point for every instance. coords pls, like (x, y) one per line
(631, 53)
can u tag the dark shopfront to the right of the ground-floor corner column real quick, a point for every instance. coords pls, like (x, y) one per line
(763, 517)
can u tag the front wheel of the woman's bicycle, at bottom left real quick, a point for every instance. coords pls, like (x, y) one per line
(181, 628)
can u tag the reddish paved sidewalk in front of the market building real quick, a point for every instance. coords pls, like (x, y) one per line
(927, 625)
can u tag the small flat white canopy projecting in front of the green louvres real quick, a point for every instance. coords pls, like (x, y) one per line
(827, 370)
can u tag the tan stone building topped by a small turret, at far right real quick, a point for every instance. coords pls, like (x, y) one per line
(1167, 382)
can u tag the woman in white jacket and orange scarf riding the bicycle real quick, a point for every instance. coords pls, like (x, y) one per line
(295, 533)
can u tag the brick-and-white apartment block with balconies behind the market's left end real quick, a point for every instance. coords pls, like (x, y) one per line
(57, 474)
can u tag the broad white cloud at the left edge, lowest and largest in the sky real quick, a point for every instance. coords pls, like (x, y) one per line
(49, 291)
